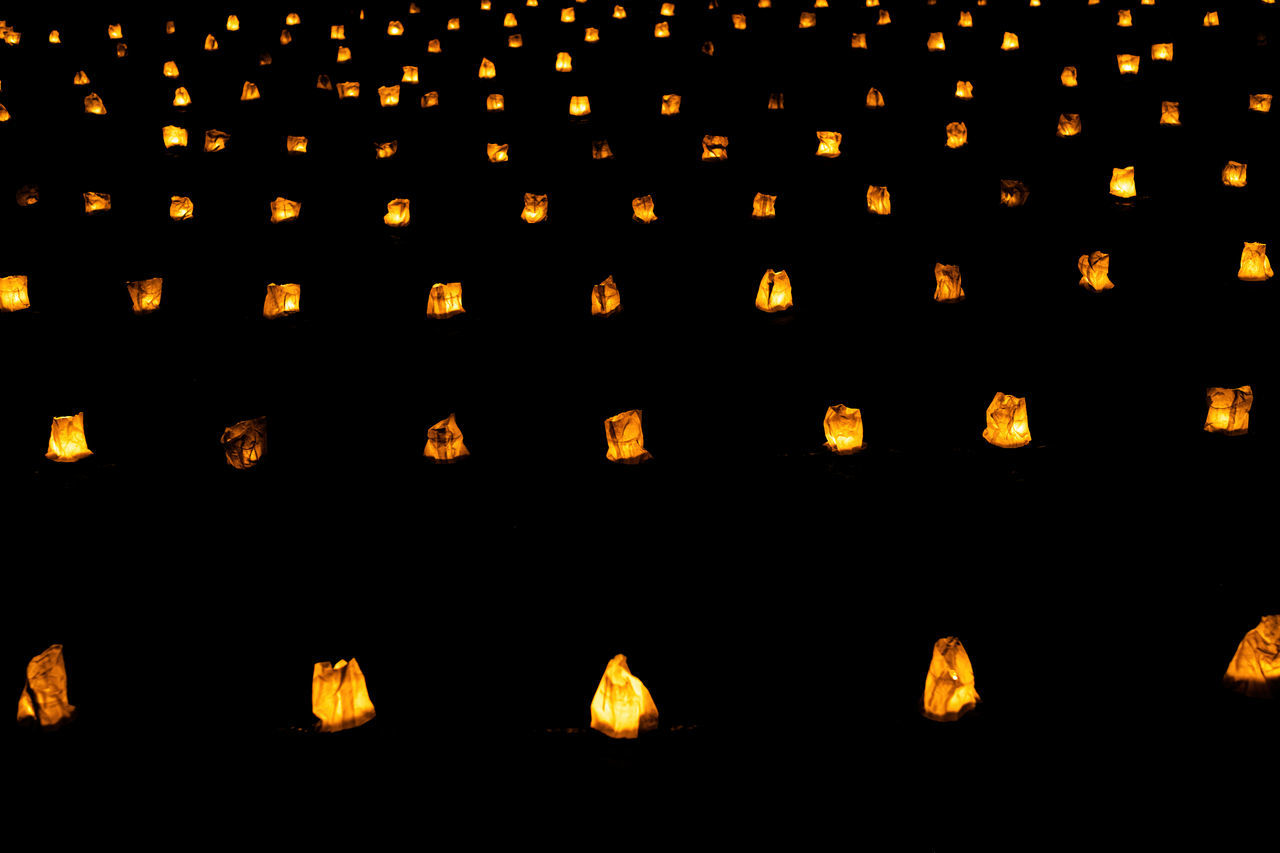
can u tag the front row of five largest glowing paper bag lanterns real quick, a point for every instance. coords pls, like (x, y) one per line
(623, 706)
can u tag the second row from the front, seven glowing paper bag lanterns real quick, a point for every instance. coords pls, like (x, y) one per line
(1008, 426)
